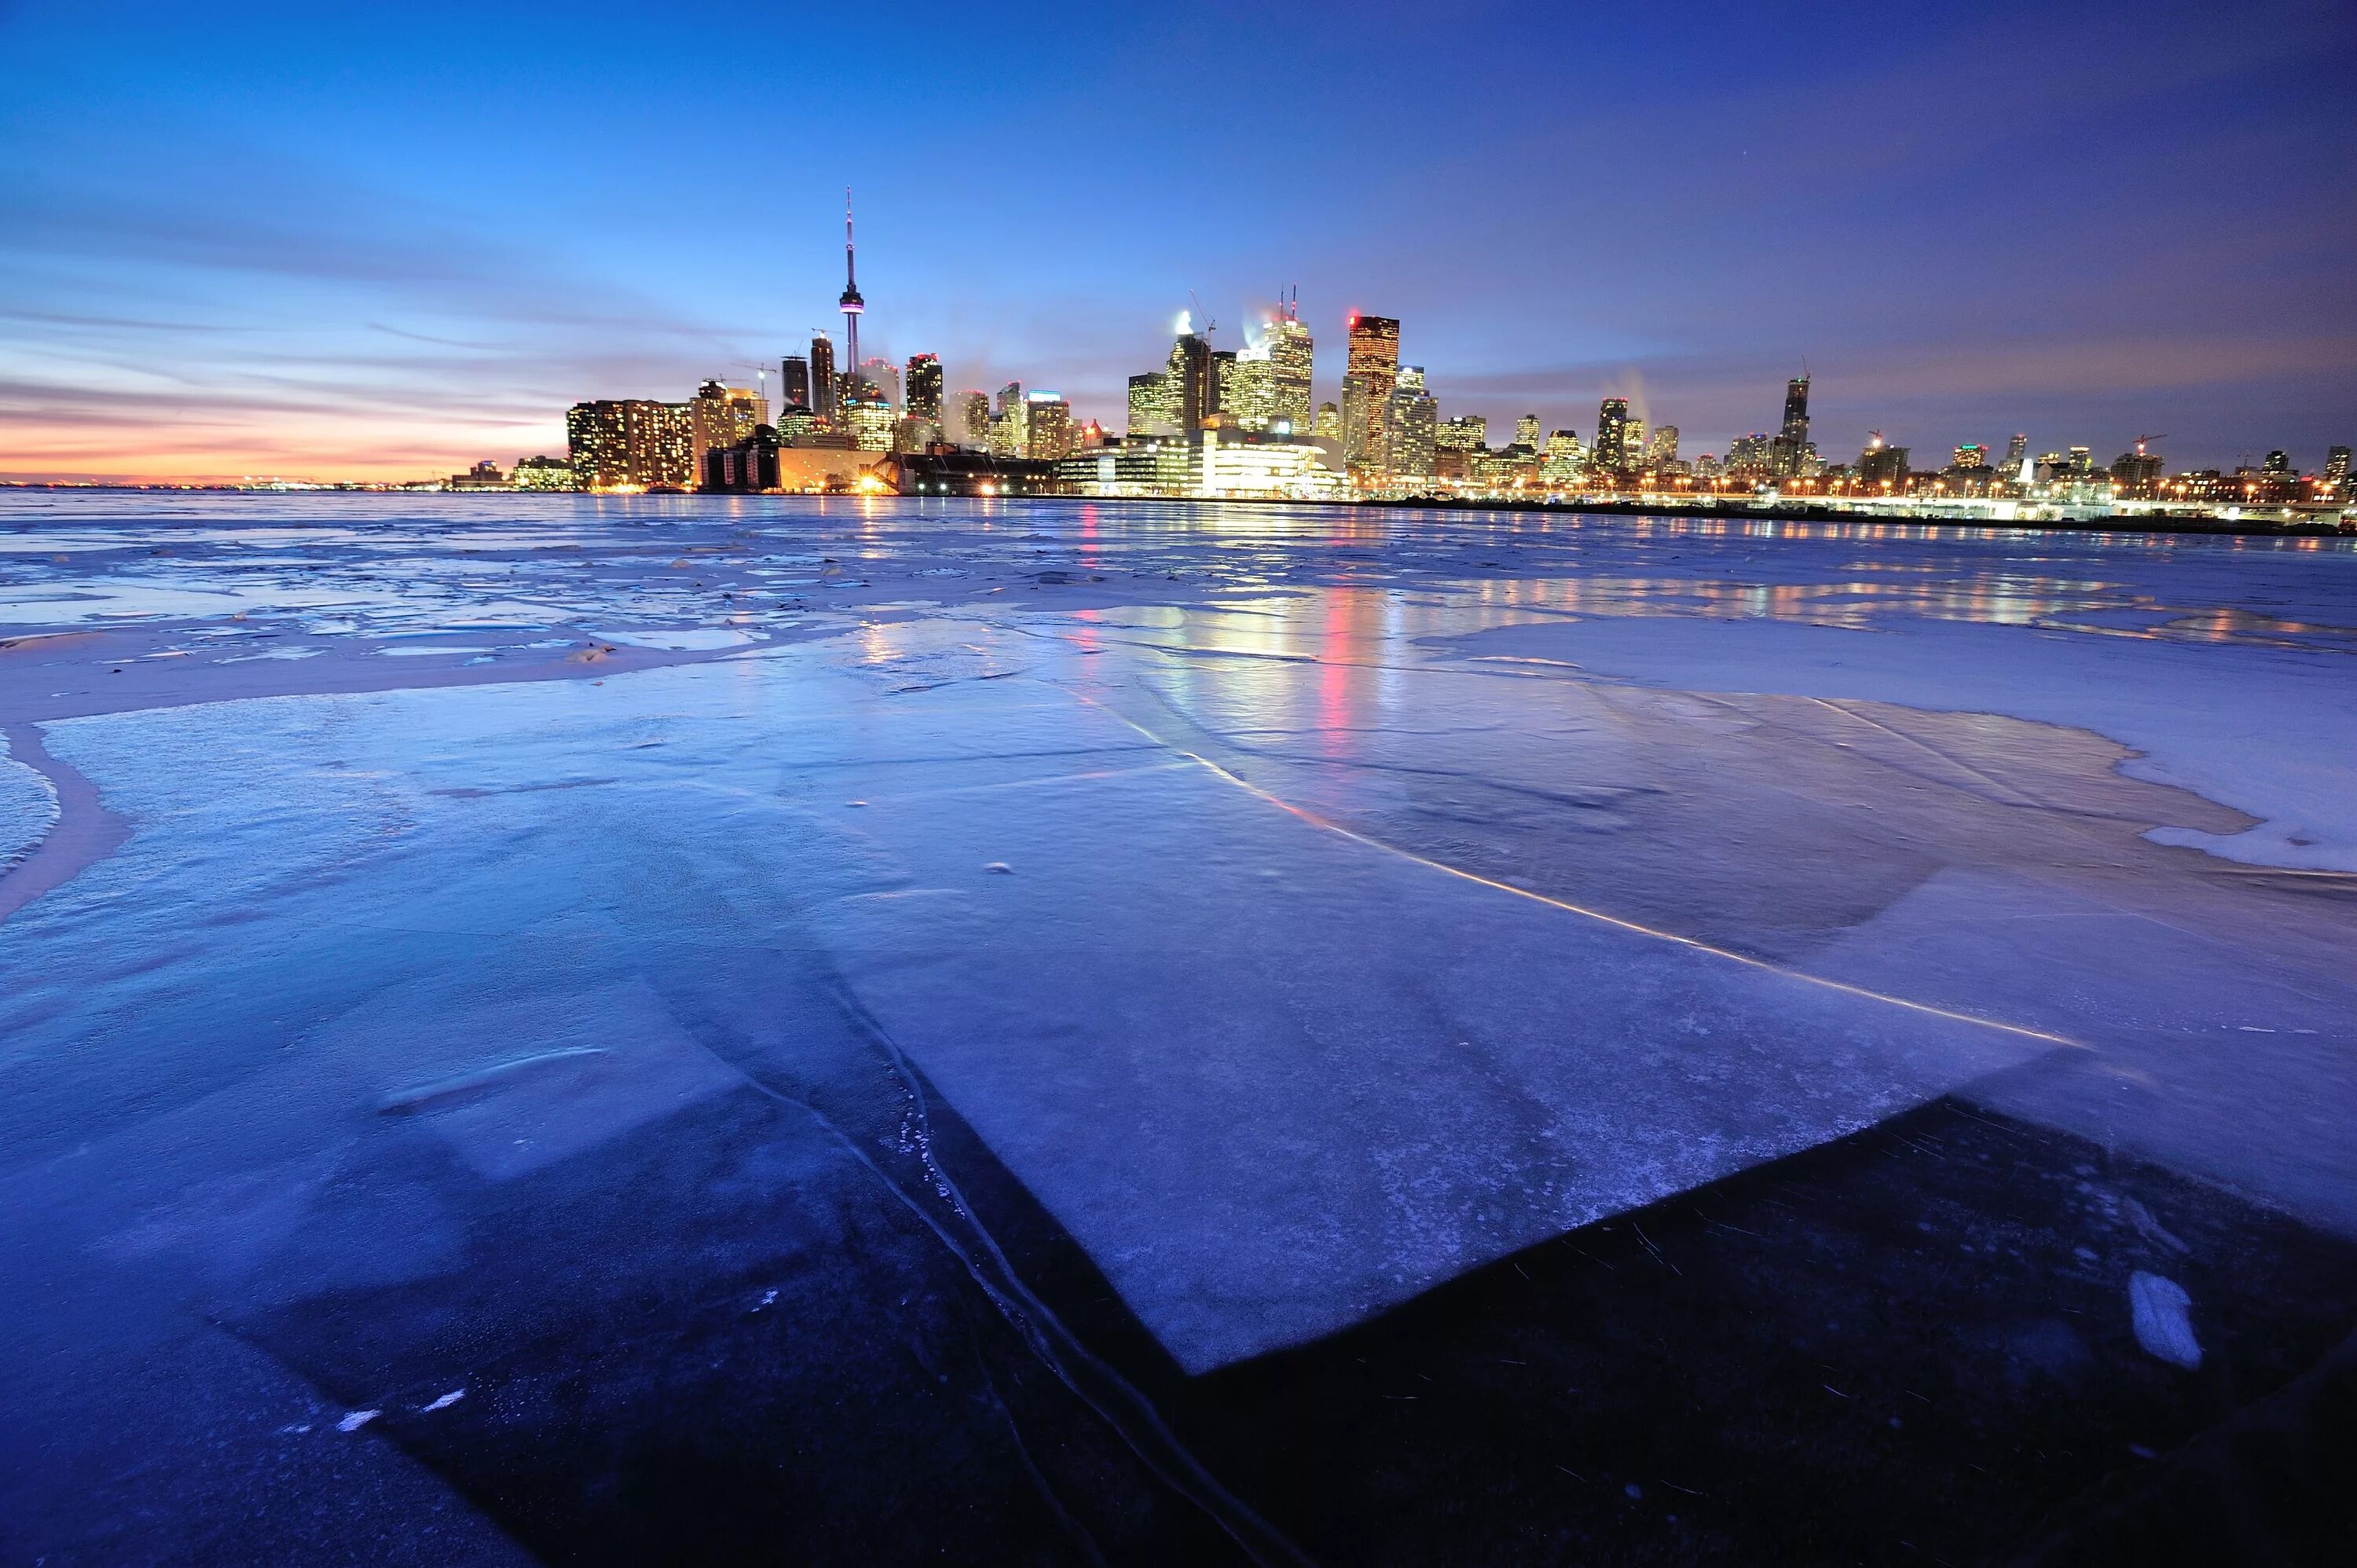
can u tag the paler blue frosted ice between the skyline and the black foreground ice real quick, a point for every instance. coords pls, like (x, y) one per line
(1305, 907)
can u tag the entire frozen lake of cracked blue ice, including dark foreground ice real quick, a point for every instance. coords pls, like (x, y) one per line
(553, 1027)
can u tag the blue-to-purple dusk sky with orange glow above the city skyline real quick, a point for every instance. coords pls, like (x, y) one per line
(341, 239)
